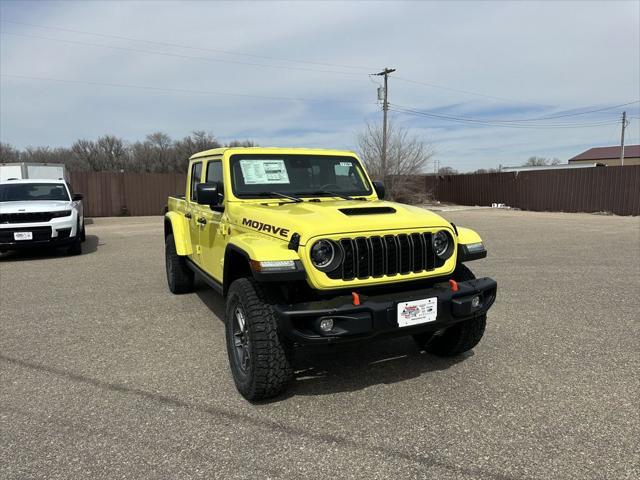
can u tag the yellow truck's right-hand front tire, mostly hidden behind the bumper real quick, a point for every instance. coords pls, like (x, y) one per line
(458, 338)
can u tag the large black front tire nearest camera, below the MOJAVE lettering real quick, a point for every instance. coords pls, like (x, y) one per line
(259, 358)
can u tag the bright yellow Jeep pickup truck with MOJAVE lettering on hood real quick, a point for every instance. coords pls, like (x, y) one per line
(306, 251)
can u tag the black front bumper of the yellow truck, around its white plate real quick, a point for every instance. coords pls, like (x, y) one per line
(377, 314)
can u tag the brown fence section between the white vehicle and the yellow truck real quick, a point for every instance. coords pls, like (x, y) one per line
(109, 194)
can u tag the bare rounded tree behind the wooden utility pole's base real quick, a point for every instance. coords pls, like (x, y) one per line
(407, 156)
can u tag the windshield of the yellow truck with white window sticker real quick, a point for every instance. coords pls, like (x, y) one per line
(255, 176)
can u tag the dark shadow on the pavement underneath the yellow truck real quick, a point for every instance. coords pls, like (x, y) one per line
(331, 369)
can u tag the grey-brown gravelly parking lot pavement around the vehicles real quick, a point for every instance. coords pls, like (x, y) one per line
(105, 374)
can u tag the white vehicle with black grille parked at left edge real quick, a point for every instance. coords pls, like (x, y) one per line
(40, 213)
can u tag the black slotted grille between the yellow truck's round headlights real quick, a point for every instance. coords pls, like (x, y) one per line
(364, 257)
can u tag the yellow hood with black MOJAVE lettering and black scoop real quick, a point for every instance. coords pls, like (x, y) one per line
(311, 219)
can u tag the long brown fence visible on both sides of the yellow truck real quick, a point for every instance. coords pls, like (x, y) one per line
(598, 189)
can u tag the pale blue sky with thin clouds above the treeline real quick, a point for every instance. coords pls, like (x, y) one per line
(237, 69)
